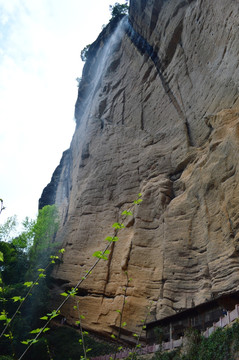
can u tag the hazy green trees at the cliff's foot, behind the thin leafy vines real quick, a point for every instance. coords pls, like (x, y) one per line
(15, 270)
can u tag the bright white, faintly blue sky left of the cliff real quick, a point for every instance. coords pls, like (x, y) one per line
(40, 45)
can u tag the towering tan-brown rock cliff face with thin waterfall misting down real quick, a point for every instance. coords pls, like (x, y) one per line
(157, 113)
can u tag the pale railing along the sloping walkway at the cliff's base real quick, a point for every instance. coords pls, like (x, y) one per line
(170, 345)
